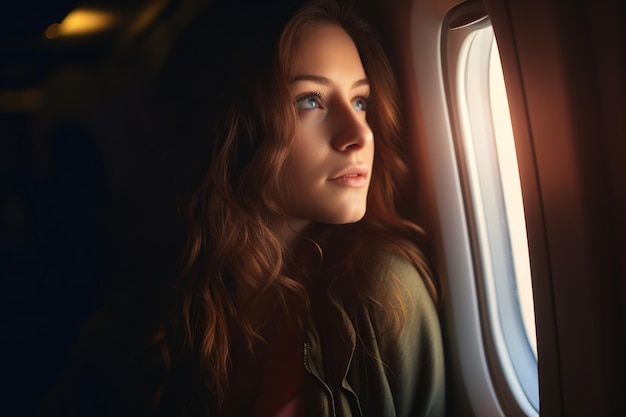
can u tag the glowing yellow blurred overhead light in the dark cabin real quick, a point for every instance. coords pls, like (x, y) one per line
(81, 22)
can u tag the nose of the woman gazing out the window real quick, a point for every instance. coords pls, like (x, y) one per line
(351, 131)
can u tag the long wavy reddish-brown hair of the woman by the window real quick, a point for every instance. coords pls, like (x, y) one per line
(230, 243)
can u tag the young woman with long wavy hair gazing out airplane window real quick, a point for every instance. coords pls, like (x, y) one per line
(303, 291)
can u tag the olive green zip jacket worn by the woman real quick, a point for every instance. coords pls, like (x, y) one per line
(380, 375)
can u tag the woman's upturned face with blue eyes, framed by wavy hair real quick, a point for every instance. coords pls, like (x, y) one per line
(328, 172)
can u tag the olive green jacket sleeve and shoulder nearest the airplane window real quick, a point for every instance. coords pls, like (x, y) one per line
(415, 358)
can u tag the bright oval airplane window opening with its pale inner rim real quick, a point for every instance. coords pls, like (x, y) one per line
(494, 209)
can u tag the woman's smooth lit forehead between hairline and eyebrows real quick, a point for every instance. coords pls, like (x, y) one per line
(327, 48)
